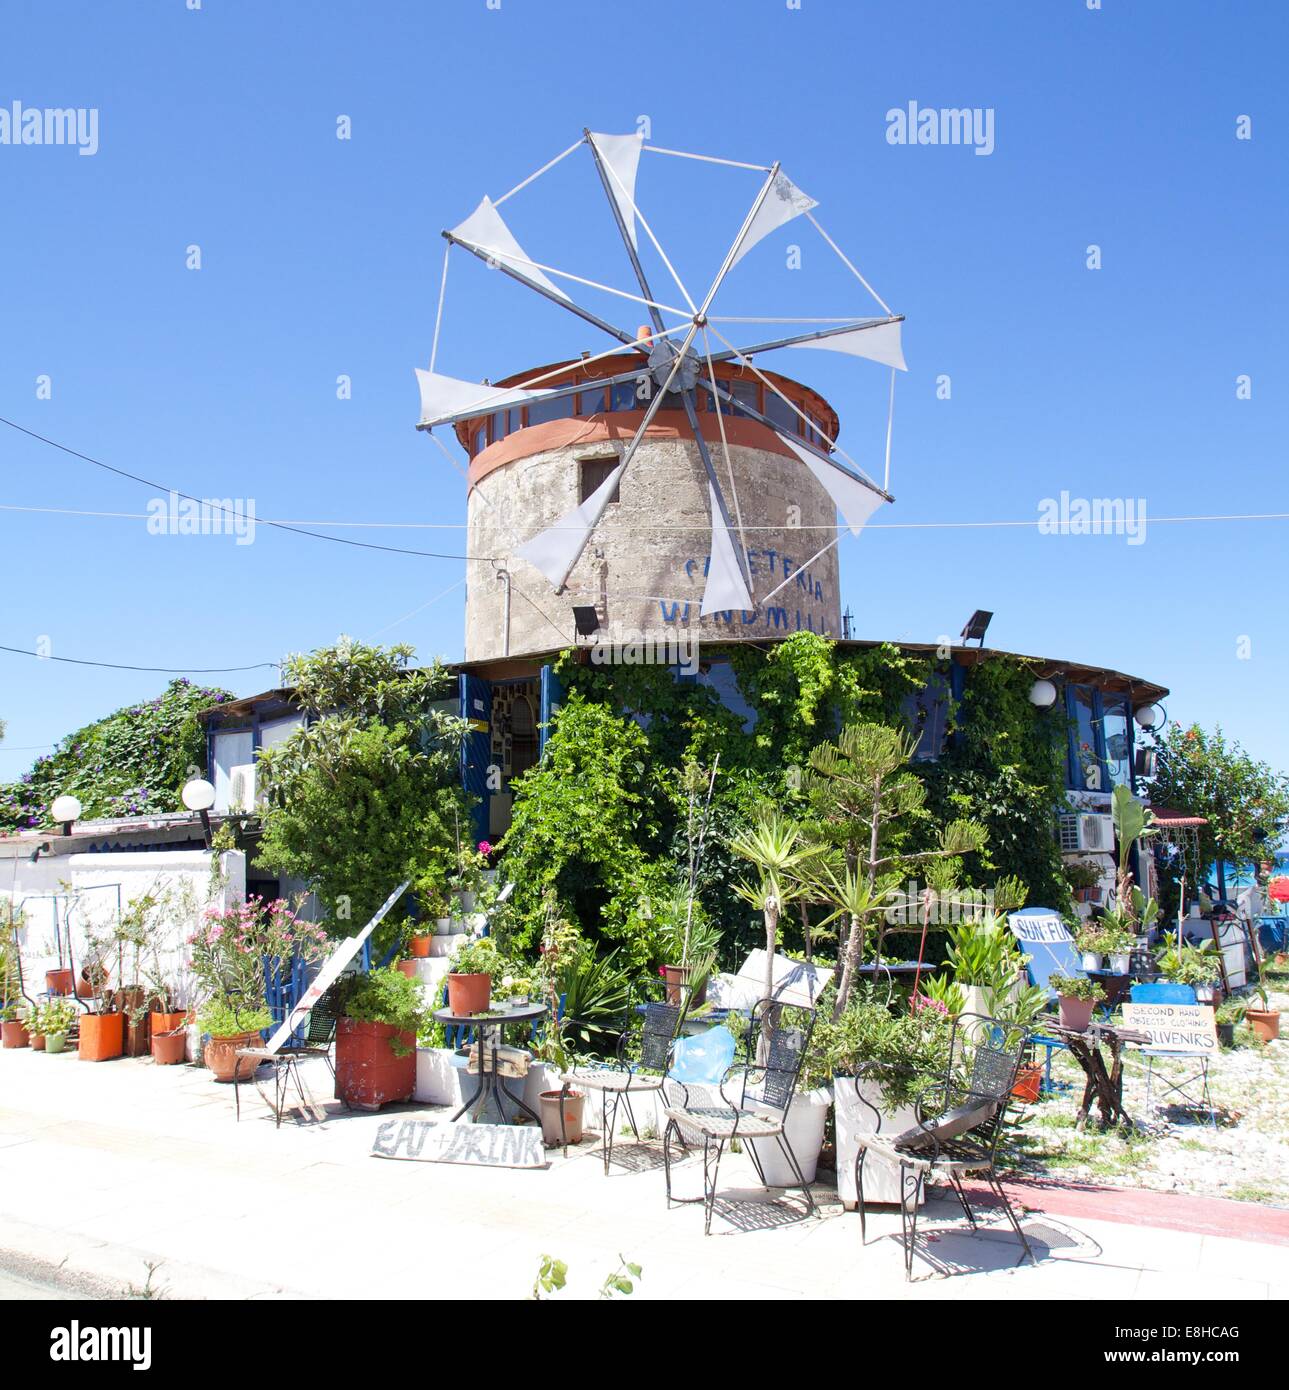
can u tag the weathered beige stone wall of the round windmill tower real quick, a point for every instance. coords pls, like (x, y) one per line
(644, 568)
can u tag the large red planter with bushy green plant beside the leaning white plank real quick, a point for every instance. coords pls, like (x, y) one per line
(376, 1038)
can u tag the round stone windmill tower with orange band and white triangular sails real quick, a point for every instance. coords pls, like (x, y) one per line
(672, 484)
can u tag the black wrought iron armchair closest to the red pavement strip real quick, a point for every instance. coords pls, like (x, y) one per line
(959, 1127)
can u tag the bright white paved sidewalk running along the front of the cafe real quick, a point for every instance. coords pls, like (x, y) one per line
(134, 1177)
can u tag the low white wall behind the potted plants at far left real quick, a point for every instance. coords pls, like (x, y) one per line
(98, 886)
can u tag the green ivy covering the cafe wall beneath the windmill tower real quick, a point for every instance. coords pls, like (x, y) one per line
(603, 819)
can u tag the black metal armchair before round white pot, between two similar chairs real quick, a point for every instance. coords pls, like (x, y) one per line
(765, 1086)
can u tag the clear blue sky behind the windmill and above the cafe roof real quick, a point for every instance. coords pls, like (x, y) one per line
(321, 258)
